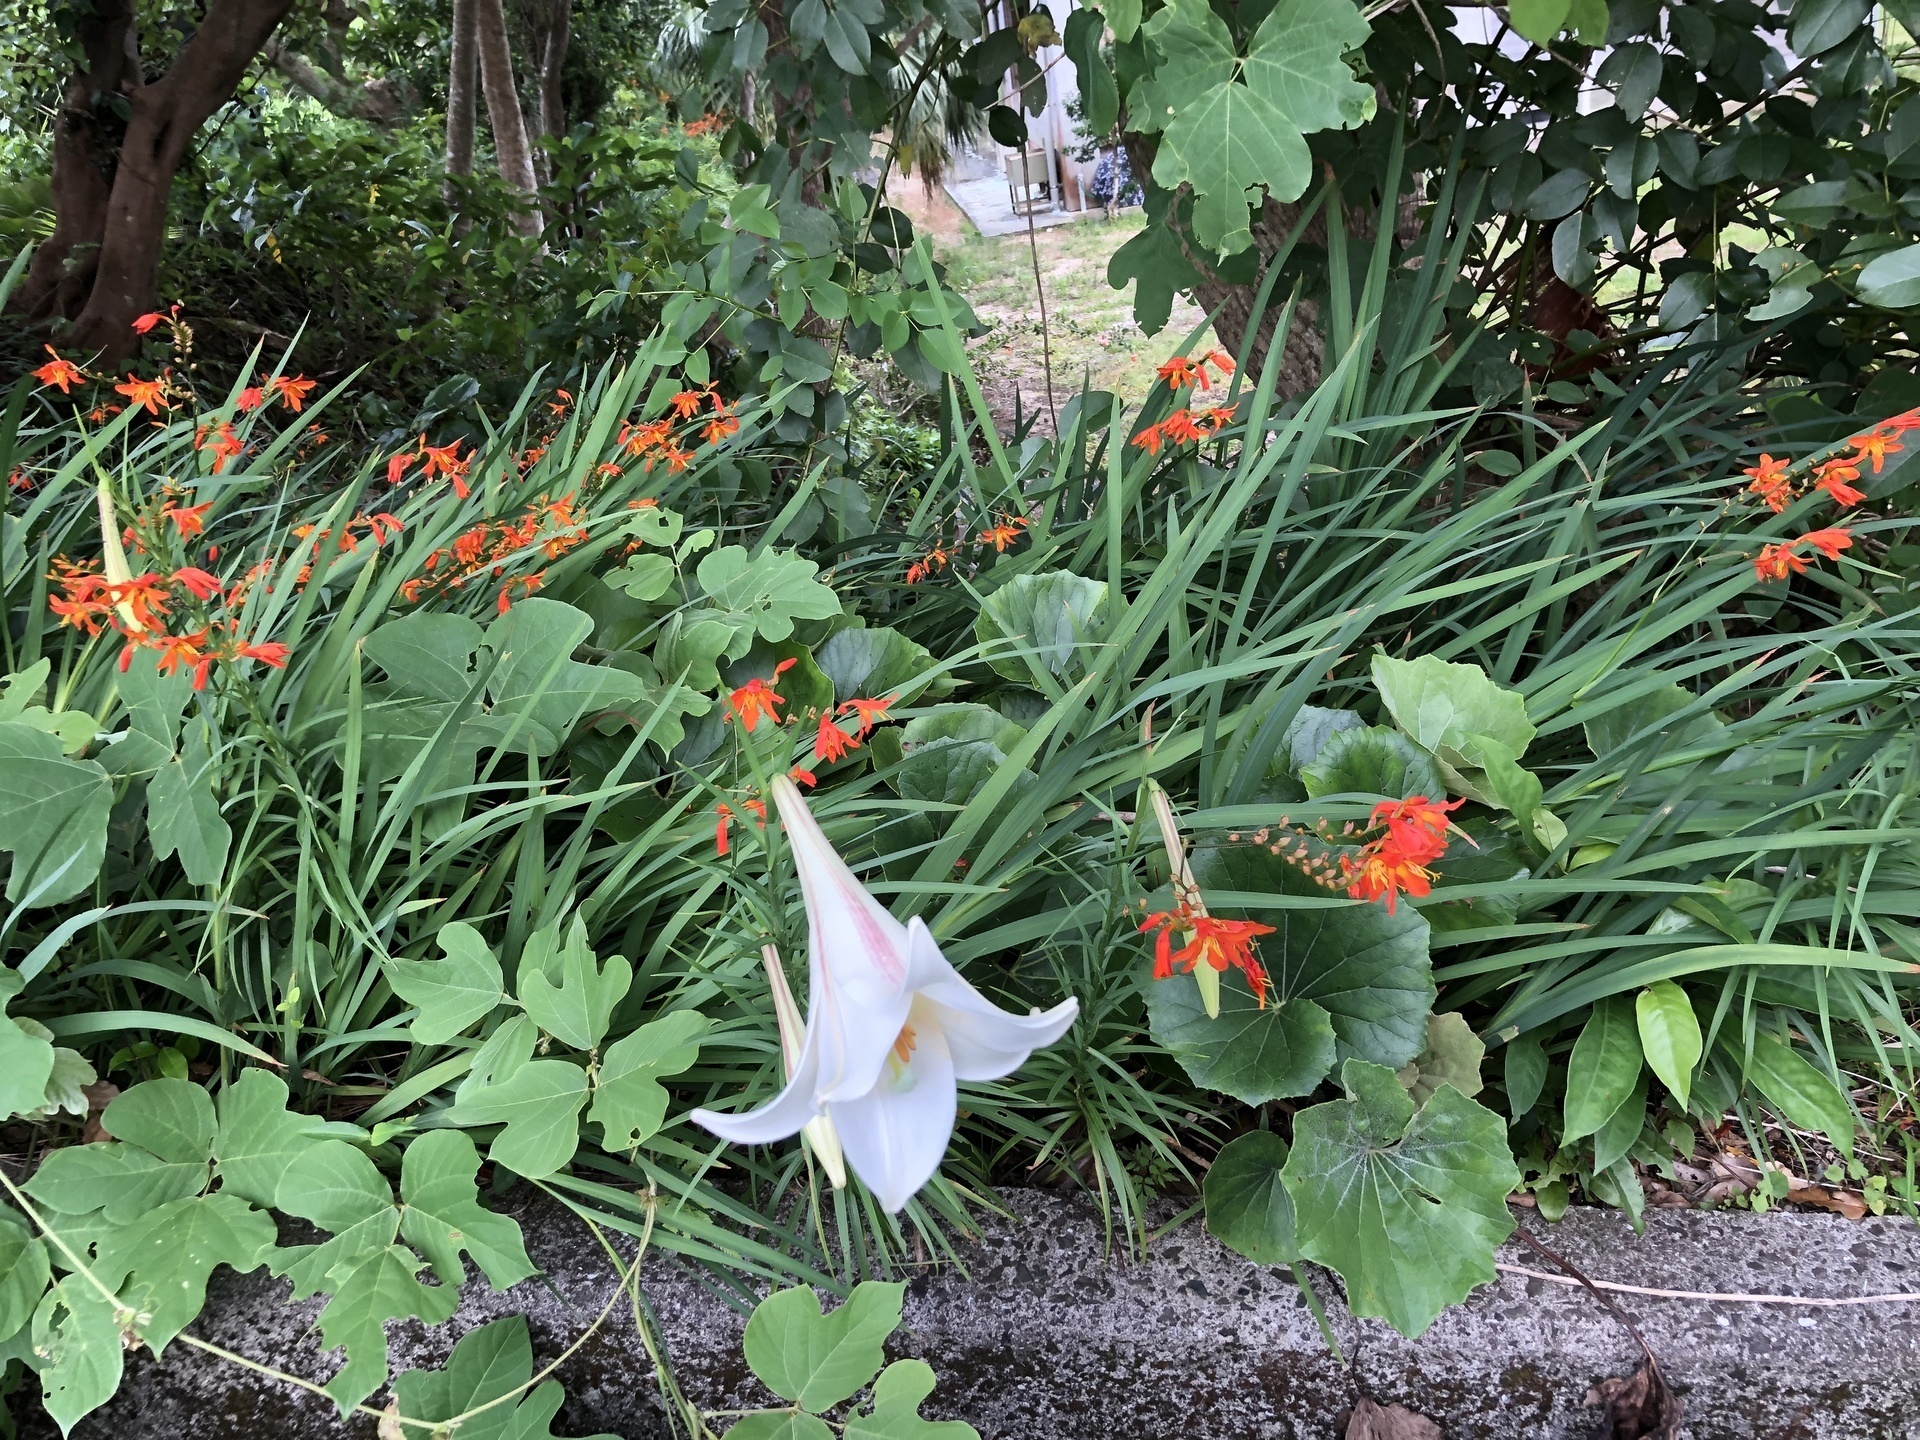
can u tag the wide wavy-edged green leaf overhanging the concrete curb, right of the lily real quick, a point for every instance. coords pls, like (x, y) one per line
(1408, 1207)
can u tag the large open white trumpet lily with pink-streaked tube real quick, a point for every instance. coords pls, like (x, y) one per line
(892, 1026)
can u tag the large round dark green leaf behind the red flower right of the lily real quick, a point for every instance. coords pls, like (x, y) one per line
(1347, 980)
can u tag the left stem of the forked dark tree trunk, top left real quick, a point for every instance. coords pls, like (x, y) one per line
(85, 141)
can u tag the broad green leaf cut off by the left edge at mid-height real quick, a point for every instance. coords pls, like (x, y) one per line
(53, 817)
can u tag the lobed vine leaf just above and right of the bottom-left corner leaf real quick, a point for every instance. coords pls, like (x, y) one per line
(160, 1264)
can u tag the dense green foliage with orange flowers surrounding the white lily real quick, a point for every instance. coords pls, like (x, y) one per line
(383, 761)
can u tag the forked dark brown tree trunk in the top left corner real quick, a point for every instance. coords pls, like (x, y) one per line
(107, 293)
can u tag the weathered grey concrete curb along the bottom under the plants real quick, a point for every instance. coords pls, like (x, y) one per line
(1051, 1341)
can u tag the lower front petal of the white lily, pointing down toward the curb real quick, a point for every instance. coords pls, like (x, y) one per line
(898, 1134)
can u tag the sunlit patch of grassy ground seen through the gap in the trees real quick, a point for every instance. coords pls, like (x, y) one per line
(1090, 325)
